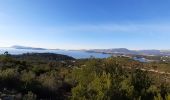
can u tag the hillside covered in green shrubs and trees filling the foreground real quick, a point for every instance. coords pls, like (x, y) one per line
(49, 76)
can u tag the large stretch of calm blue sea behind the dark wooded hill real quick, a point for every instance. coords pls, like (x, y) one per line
(75, 54)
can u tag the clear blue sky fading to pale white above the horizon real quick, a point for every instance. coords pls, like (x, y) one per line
(85, 24)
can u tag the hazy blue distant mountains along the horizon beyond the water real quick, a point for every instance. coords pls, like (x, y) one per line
(109, 51)
